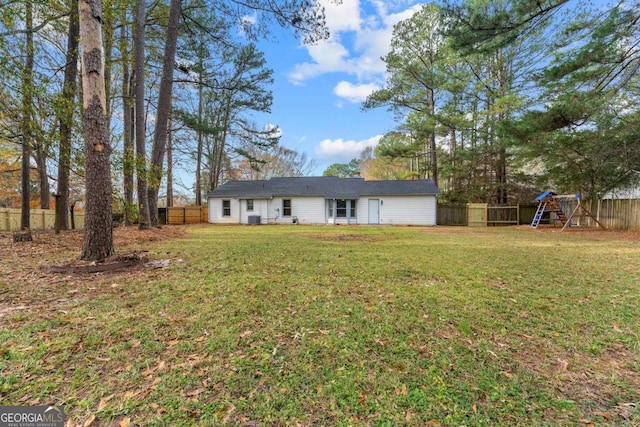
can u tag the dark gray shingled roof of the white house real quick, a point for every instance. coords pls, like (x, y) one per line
(328, 187)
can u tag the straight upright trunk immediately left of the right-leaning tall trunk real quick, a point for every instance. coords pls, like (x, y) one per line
(141, 152)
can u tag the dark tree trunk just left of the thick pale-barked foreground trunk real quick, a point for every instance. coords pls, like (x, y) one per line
(66, 116)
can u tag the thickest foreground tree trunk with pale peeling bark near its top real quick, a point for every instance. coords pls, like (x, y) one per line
(98, 234)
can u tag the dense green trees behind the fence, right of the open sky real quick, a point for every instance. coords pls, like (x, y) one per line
(497, 99)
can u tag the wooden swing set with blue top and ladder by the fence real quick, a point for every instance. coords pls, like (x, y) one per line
(564, 207)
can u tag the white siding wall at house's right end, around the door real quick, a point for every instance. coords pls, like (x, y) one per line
(400, 210)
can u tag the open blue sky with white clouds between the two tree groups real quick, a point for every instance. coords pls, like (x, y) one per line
(318, 89)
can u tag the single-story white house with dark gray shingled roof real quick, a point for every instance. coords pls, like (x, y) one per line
(324, 200)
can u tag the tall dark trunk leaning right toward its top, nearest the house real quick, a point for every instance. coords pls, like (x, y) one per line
(164, 109)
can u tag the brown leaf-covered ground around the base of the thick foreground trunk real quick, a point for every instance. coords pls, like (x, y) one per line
(48, 271)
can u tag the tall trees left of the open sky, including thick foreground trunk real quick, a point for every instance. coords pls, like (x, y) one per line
(102, 98)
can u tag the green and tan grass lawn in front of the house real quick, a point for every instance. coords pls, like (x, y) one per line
(281, 325)
